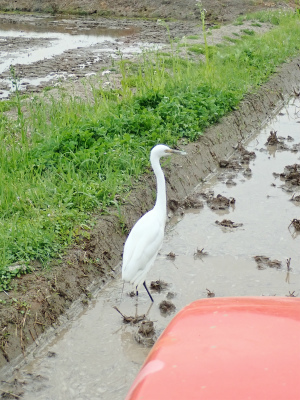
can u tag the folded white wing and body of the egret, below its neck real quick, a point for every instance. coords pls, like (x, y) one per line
(142, 246)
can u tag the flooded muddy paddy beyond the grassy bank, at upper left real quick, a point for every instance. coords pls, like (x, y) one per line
(46, 50)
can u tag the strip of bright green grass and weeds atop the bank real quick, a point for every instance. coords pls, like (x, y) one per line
(67, 158)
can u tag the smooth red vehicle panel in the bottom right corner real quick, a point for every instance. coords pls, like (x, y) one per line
(226, 349)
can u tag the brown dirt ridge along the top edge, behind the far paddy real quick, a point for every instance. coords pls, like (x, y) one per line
(185, 10)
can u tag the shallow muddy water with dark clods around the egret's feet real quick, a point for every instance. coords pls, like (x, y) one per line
(97, 357)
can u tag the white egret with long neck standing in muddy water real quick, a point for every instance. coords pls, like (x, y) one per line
(146, 236)
